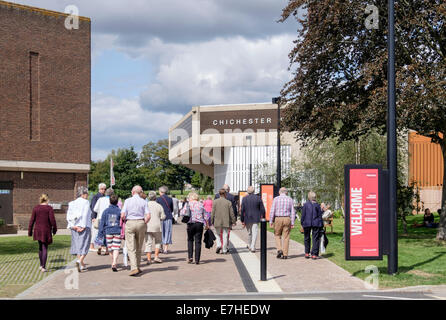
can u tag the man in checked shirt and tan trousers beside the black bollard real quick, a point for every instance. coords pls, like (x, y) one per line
(282, 218)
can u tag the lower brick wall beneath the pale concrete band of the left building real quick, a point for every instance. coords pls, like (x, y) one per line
(60, 187)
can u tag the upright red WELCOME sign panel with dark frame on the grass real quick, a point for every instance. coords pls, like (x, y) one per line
(363, 212)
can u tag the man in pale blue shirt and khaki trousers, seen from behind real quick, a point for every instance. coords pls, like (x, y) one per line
(133, 212)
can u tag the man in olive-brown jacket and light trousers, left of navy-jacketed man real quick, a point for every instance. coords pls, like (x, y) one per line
(222, 218)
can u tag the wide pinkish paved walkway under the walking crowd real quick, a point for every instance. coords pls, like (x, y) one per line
(235, 274)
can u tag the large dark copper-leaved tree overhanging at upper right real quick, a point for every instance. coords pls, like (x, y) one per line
(339, 85)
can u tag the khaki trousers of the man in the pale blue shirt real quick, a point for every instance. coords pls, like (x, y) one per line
(135, 232)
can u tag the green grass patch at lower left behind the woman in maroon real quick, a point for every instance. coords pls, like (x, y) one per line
(19, 262)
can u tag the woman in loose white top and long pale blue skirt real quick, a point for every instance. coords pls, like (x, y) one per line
(79, 221)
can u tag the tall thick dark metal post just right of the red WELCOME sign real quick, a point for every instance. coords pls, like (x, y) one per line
(392, 262)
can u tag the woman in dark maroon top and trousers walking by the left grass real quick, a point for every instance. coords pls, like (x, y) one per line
(45, 227)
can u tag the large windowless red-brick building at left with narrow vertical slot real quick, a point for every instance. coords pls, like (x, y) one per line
(44, 110)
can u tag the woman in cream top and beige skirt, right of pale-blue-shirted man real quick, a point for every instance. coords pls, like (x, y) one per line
(154, 231)
